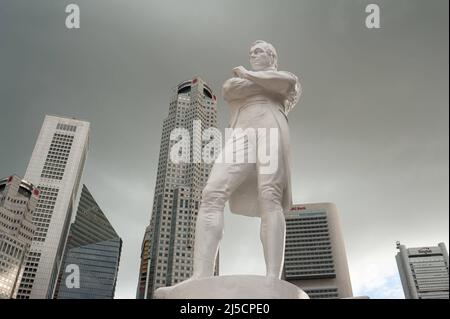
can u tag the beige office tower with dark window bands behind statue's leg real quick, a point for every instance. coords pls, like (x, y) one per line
(315, 258)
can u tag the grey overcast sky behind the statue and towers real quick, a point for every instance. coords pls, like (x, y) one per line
(370, 133)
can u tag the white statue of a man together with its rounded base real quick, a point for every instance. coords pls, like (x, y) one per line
(259, 101)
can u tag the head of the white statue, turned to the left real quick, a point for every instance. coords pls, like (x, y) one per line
(263, 56)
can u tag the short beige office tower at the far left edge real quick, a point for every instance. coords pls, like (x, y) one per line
(18, 199)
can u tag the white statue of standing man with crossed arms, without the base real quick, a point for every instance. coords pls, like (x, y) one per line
(259, 99)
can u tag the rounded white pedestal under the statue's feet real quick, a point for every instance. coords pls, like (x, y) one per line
(232, 287)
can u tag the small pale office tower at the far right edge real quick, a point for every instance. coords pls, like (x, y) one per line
(423, 271)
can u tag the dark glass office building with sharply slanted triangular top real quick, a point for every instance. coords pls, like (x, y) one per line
(94, 248)
